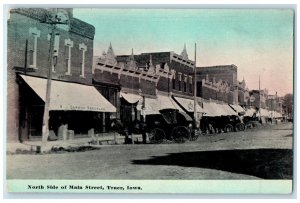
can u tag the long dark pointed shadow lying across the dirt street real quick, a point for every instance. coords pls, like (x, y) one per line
(262, 163)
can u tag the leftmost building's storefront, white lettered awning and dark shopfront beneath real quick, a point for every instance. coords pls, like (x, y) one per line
(78, 107)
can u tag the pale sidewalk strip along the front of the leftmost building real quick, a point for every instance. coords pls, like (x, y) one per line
(100, 140)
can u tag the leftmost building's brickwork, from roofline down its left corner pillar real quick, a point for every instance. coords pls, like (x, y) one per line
(21, 20)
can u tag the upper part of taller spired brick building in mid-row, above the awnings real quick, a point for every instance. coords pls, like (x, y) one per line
(174, 71)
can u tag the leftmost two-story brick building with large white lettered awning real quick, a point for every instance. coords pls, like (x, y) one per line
(28, 48)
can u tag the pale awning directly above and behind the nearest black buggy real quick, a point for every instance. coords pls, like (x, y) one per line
(153, 105)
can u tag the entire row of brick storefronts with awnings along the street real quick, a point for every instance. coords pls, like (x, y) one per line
(86, 94)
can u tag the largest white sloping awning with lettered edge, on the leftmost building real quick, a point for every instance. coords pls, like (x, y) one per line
(70, 96)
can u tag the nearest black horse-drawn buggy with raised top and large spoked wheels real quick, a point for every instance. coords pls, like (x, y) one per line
(170, 124)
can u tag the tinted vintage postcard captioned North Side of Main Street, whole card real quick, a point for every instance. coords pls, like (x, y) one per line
(148, 100)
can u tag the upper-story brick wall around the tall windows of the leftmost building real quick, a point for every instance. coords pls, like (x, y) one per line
(18, 33)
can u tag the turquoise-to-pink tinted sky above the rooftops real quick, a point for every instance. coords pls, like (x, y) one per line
(258, 41)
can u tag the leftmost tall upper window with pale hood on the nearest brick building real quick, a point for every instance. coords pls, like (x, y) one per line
(34, 33)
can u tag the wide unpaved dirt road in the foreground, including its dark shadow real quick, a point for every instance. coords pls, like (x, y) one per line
(263, 153)
